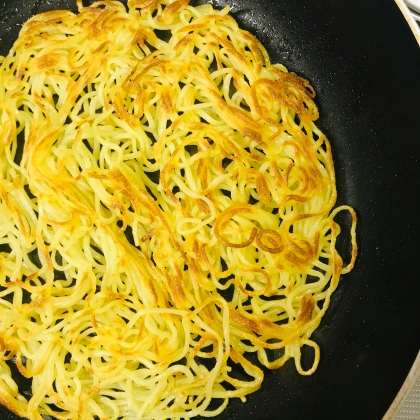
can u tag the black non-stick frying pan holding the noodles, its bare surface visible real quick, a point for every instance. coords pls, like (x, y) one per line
(364, 63)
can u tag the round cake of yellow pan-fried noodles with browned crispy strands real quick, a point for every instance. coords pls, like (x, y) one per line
(168, 218)
